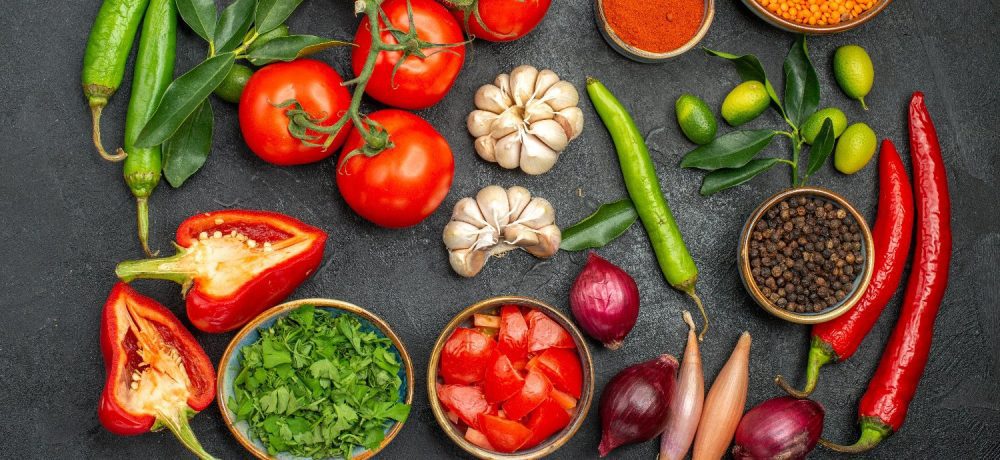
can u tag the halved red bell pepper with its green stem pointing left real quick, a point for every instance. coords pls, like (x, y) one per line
(233, 264)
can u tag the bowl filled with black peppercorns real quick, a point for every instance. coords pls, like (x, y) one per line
(806, 255)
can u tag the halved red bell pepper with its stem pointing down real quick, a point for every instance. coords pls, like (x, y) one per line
(158, 375)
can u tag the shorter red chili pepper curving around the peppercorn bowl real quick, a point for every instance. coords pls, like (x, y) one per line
(837, 340)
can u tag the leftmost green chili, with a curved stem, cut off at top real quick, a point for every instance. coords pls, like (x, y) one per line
(108, 47)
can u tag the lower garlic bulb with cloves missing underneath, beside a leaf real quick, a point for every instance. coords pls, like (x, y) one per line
(497, 221)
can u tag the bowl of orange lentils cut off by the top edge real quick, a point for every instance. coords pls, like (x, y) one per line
(817, 17)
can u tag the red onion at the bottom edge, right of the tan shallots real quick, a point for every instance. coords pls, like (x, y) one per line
(782, 428)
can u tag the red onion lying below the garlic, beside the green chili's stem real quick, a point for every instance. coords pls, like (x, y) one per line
(605, 301)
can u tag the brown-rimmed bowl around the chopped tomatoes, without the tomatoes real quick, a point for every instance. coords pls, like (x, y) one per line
(555, 441)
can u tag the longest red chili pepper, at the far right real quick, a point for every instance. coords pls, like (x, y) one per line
(883, 406)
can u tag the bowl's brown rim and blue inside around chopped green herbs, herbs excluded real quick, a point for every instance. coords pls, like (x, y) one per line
(229, 368)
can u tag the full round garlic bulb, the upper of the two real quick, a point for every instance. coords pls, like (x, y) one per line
(525, 119)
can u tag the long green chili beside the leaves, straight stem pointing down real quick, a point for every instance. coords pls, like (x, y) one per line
(154, 70)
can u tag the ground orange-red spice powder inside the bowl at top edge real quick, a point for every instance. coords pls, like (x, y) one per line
(656, 26)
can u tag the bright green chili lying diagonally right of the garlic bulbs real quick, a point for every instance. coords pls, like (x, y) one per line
(644, 189)
